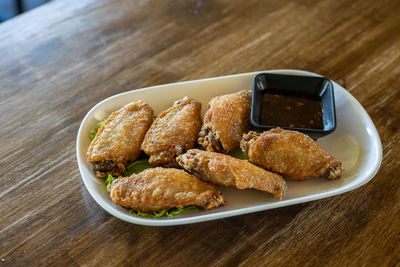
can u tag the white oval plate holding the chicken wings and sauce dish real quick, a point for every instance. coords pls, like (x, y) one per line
(355, 143)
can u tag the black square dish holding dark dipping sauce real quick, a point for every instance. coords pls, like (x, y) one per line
(300, 103)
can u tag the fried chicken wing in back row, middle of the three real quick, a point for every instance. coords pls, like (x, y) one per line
(173, 132)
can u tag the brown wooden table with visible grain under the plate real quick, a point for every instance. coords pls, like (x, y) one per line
(59, 60)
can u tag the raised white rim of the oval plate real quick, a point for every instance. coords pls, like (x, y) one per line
(377, 160)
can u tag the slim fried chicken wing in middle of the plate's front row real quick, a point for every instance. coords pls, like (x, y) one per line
(225, 170)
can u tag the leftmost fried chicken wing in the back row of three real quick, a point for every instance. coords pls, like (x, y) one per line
(118, 140)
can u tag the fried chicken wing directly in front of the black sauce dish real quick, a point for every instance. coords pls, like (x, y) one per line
(292, 154)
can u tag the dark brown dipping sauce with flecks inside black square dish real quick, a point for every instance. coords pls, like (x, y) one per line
(287, 109)
